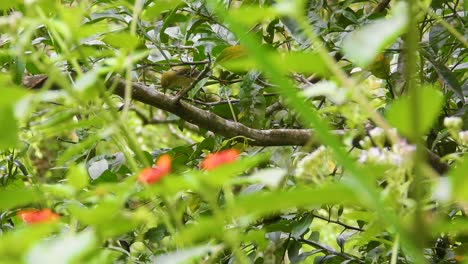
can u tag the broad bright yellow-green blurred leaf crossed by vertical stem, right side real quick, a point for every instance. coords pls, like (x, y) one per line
(399, 112)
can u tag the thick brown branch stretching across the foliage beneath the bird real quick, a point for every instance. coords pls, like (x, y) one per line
(199, 118)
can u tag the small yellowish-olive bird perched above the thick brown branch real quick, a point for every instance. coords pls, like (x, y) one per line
(178, 77)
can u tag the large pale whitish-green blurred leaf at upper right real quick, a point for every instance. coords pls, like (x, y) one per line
(363, 45)
